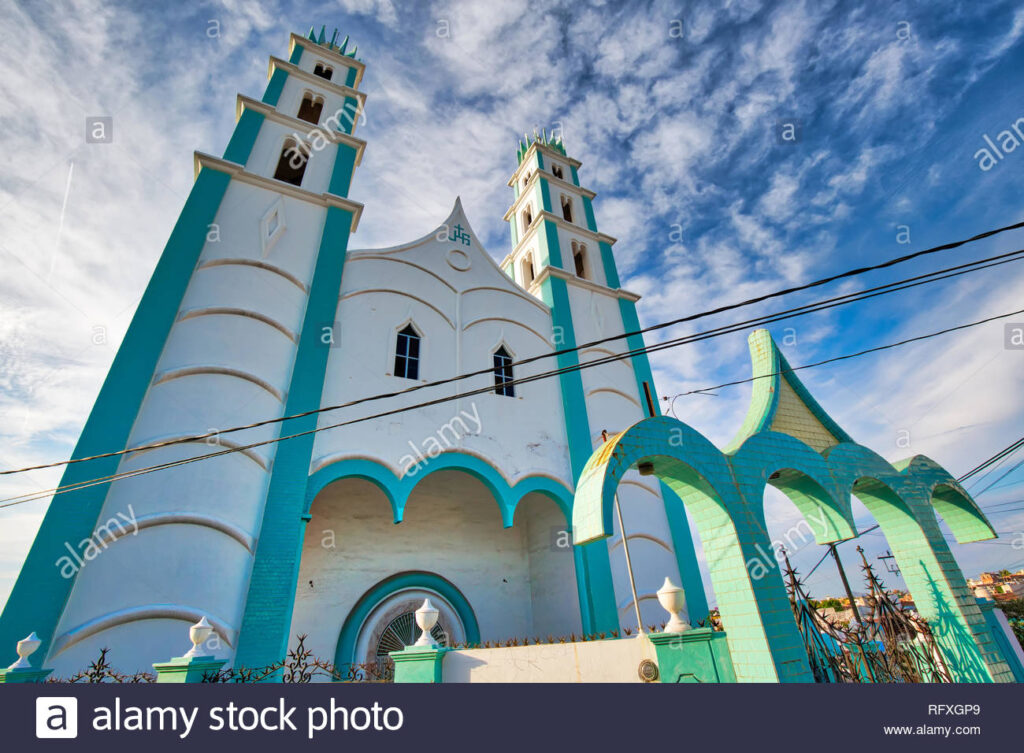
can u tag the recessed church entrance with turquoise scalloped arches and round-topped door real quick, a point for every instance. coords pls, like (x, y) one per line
(377, 546)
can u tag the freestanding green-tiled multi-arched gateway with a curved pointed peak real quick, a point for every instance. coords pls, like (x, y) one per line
(790, 442)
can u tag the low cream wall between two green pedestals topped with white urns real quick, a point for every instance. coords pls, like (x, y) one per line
(600, 661)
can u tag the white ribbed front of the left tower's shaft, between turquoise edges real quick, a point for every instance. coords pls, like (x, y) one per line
(188, 563)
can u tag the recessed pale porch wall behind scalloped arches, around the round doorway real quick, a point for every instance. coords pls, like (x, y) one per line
(515, 582)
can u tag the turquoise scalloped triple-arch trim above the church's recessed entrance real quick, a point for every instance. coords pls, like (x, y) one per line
(399, 489)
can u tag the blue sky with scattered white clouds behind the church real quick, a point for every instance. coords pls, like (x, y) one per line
(673, 108)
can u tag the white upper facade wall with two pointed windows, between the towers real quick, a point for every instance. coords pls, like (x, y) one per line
(464, 316)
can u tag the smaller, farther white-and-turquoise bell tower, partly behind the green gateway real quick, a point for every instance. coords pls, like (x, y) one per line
(560, 257)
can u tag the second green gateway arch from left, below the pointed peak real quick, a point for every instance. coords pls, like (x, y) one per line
(801, 474)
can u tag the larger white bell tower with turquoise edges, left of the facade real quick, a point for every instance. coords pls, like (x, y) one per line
(229, 332)
